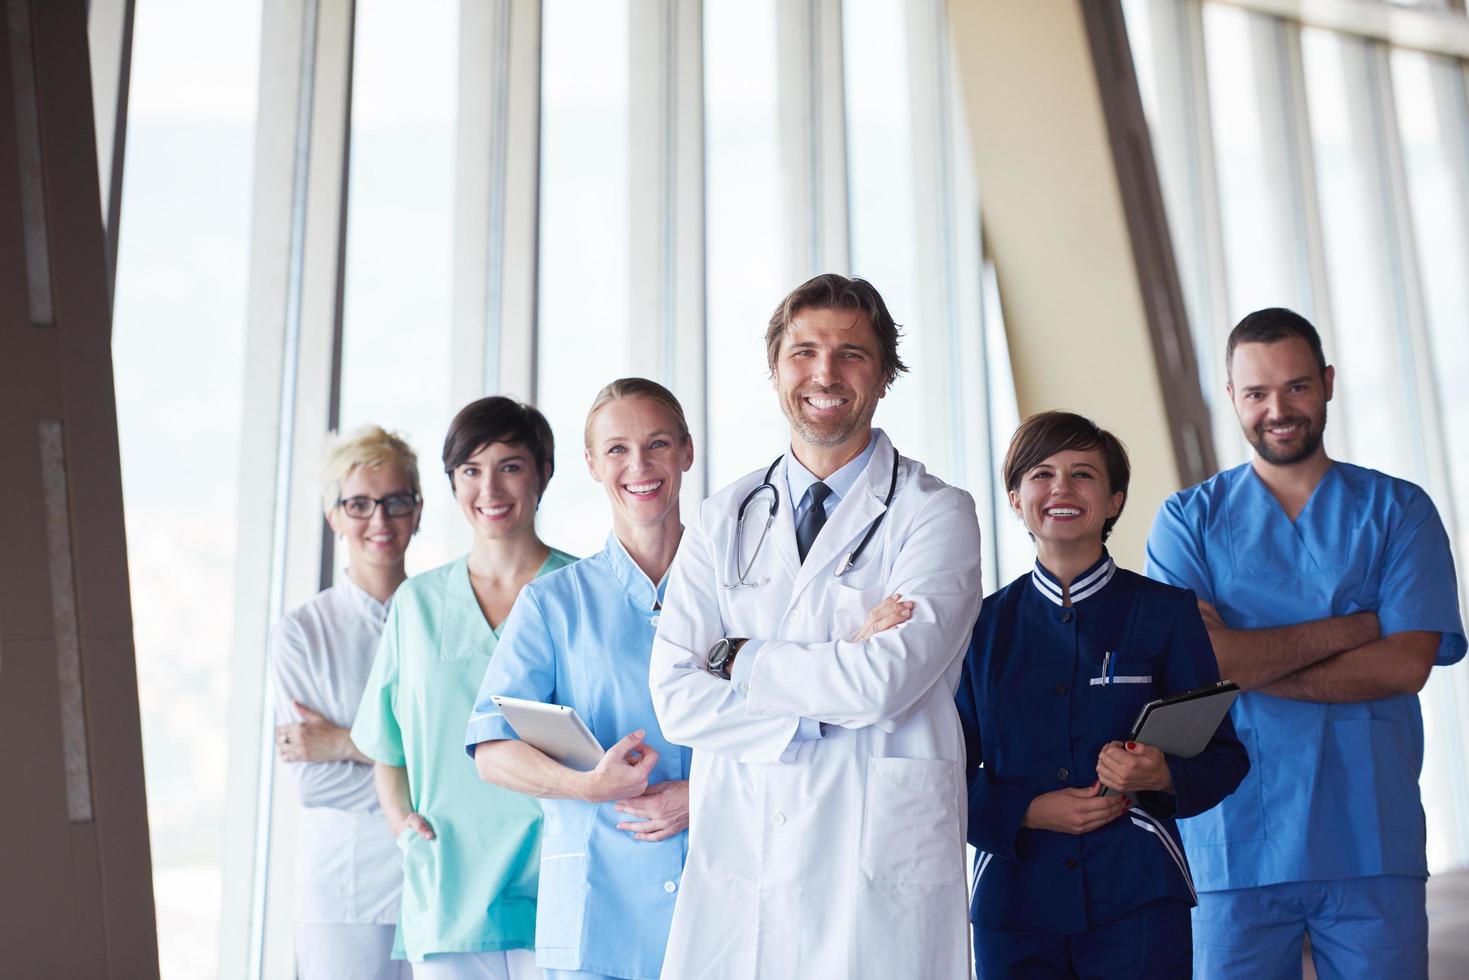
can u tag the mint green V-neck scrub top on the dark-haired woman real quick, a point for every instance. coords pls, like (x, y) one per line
(474, 887)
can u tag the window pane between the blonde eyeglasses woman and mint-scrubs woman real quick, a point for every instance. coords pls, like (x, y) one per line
(396, 331)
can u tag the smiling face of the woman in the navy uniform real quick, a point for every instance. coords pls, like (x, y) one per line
(1066, 499)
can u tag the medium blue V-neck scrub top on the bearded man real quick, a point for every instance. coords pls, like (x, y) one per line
(1333, 788)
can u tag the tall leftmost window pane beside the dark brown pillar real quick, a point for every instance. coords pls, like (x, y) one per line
(183, 265)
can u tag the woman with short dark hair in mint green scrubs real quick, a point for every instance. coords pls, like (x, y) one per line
(469, 850)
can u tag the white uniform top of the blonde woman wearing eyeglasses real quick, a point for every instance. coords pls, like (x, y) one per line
(349, 869)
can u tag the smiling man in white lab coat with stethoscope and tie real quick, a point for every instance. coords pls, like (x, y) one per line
(828, 785)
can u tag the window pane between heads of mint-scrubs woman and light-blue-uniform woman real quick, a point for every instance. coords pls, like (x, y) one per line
(584, 337)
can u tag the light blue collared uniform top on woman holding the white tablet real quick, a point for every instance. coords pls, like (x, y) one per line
(584, 637)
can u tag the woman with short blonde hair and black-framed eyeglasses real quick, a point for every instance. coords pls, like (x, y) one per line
(347, 878)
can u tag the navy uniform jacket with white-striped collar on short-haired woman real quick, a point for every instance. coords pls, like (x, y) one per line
(1038, 703)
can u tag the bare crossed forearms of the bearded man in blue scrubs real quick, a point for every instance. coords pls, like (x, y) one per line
(1340, 659)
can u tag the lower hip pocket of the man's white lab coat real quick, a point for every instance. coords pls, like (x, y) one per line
(912, 831)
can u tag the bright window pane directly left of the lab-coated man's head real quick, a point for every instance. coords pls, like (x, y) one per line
(748, 251)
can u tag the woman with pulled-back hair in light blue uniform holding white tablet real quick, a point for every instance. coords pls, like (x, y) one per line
(615, 843)
